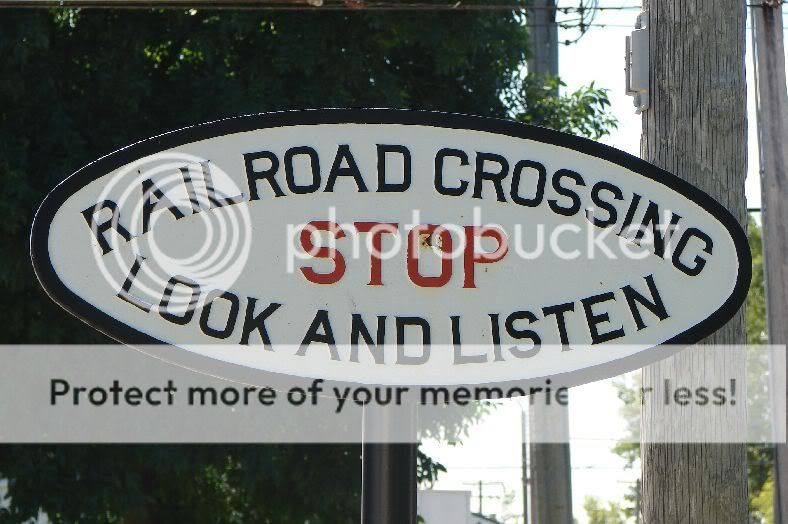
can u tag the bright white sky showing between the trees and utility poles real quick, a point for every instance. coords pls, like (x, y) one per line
(492, 451)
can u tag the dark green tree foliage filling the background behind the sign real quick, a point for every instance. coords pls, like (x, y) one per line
(77, 84)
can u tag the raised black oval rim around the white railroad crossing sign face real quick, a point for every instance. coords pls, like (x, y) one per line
(123, 333)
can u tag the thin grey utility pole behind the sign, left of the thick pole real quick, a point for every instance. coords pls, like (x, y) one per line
(550, 464)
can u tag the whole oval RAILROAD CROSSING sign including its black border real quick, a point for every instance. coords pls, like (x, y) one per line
(391, 247)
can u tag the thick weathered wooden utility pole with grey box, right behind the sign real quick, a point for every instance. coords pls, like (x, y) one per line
(696, 127)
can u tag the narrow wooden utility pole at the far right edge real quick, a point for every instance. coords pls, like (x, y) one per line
(767, 24)
